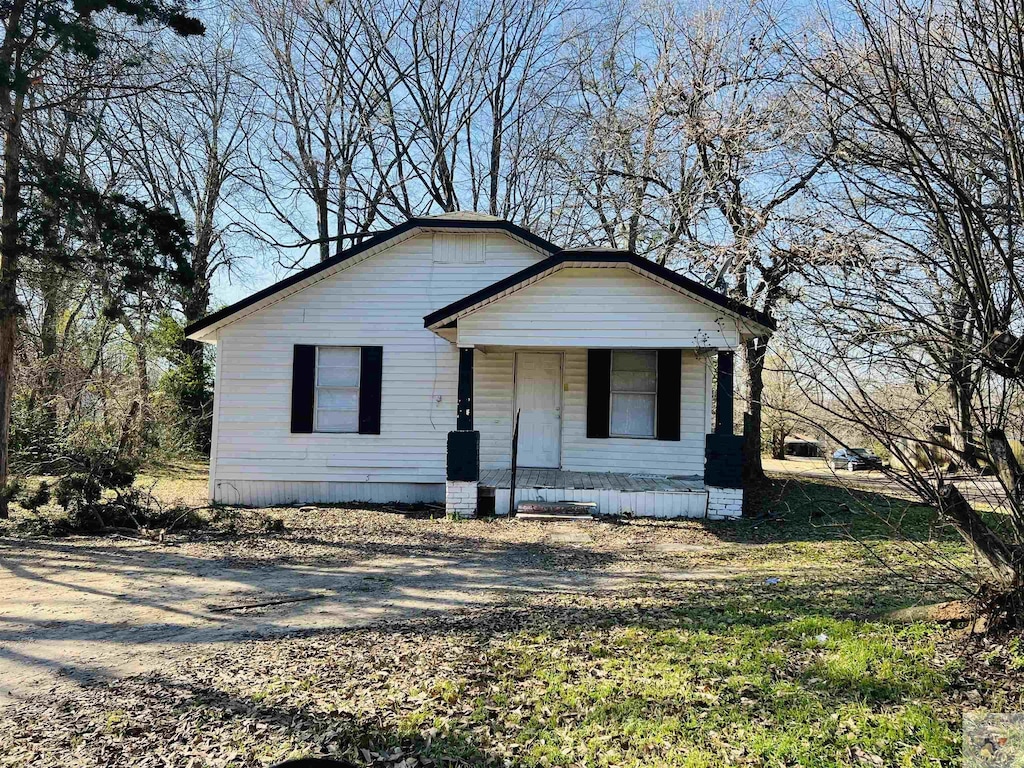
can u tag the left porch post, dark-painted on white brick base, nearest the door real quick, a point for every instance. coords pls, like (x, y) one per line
(463, 473)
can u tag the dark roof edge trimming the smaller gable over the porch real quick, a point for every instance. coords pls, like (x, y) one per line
(448, 316)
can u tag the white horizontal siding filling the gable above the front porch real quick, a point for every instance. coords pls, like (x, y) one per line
(600, 308)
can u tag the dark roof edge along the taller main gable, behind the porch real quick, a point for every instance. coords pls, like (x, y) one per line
(459, 221)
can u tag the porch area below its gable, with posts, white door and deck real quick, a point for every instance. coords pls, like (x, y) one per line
(551, 414)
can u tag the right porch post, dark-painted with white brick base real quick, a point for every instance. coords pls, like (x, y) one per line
(724, 451)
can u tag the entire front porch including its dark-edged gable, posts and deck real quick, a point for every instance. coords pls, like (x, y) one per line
(591, 374)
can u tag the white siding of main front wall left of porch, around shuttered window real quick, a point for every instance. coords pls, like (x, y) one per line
(381, 302)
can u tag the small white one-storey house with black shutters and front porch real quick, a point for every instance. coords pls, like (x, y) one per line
(396, 372)
